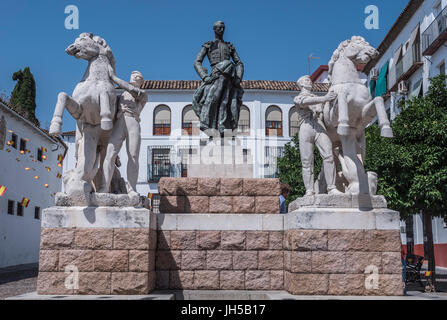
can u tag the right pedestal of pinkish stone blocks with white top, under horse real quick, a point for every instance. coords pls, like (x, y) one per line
(342, 251)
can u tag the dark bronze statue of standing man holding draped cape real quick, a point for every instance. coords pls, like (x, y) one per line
(218, 100)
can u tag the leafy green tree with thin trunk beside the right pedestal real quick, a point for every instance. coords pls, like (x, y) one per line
(412, 167)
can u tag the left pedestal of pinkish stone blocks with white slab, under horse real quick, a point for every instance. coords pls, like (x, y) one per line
(97, 250)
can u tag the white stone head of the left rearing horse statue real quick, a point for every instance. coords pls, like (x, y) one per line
(87, 46)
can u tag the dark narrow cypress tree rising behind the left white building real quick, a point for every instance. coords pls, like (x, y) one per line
(23, 97)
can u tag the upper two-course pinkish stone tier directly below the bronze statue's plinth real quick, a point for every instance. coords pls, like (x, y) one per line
(219, 195)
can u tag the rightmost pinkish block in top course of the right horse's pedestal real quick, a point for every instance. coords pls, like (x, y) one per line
(383, 240)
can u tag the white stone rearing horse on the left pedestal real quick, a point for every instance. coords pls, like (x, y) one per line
(93, 105)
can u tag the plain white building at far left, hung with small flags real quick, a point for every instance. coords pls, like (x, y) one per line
(29, 177)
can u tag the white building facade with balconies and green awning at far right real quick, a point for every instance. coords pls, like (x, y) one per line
(412, 52)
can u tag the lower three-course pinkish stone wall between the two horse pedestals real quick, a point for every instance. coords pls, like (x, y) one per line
(225, 260)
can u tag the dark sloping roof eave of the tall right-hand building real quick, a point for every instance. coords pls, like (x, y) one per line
(394, 31)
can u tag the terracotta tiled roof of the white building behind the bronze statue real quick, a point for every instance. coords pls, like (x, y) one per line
(246, 84)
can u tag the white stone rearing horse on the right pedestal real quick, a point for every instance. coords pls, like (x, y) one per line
(347, 117)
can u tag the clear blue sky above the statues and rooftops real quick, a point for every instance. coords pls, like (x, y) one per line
(161, 38)
